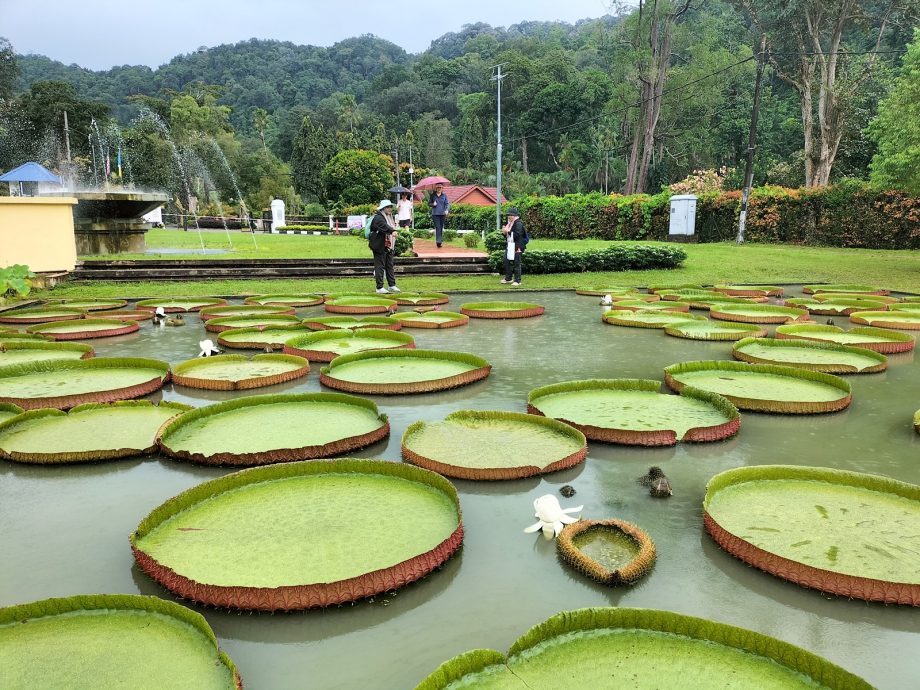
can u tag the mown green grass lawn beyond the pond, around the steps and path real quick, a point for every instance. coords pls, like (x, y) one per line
(705, 264)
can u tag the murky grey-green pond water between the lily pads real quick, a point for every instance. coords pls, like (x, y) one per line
(65, 529)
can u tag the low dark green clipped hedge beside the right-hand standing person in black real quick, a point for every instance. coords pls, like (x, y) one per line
(617, 258)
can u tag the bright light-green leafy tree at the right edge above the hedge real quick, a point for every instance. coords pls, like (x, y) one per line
(896, 129)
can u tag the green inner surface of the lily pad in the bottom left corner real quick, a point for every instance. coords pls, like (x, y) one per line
(109, 649)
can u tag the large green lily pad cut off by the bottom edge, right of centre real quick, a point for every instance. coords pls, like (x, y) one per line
(640, 648)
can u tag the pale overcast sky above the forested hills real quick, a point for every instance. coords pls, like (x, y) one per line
(101, 33)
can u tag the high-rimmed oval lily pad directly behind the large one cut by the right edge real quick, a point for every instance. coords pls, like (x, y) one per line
(764, 387)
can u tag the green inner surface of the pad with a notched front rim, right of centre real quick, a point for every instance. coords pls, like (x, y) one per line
(633, 410)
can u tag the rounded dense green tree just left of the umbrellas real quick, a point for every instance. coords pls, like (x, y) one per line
(357, 176)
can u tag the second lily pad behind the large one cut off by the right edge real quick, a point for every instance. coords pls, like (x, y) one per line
(832, 358)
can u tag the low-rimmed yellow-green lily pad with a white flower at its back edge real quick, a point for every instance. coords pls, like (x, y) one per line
(238, 372)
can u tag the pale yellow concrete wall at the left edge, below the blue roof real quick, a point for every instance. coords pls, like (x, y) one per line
(38, 232)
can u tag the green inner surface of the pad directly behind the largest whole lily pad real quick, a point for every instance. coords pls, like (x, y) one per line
(266, 427)
